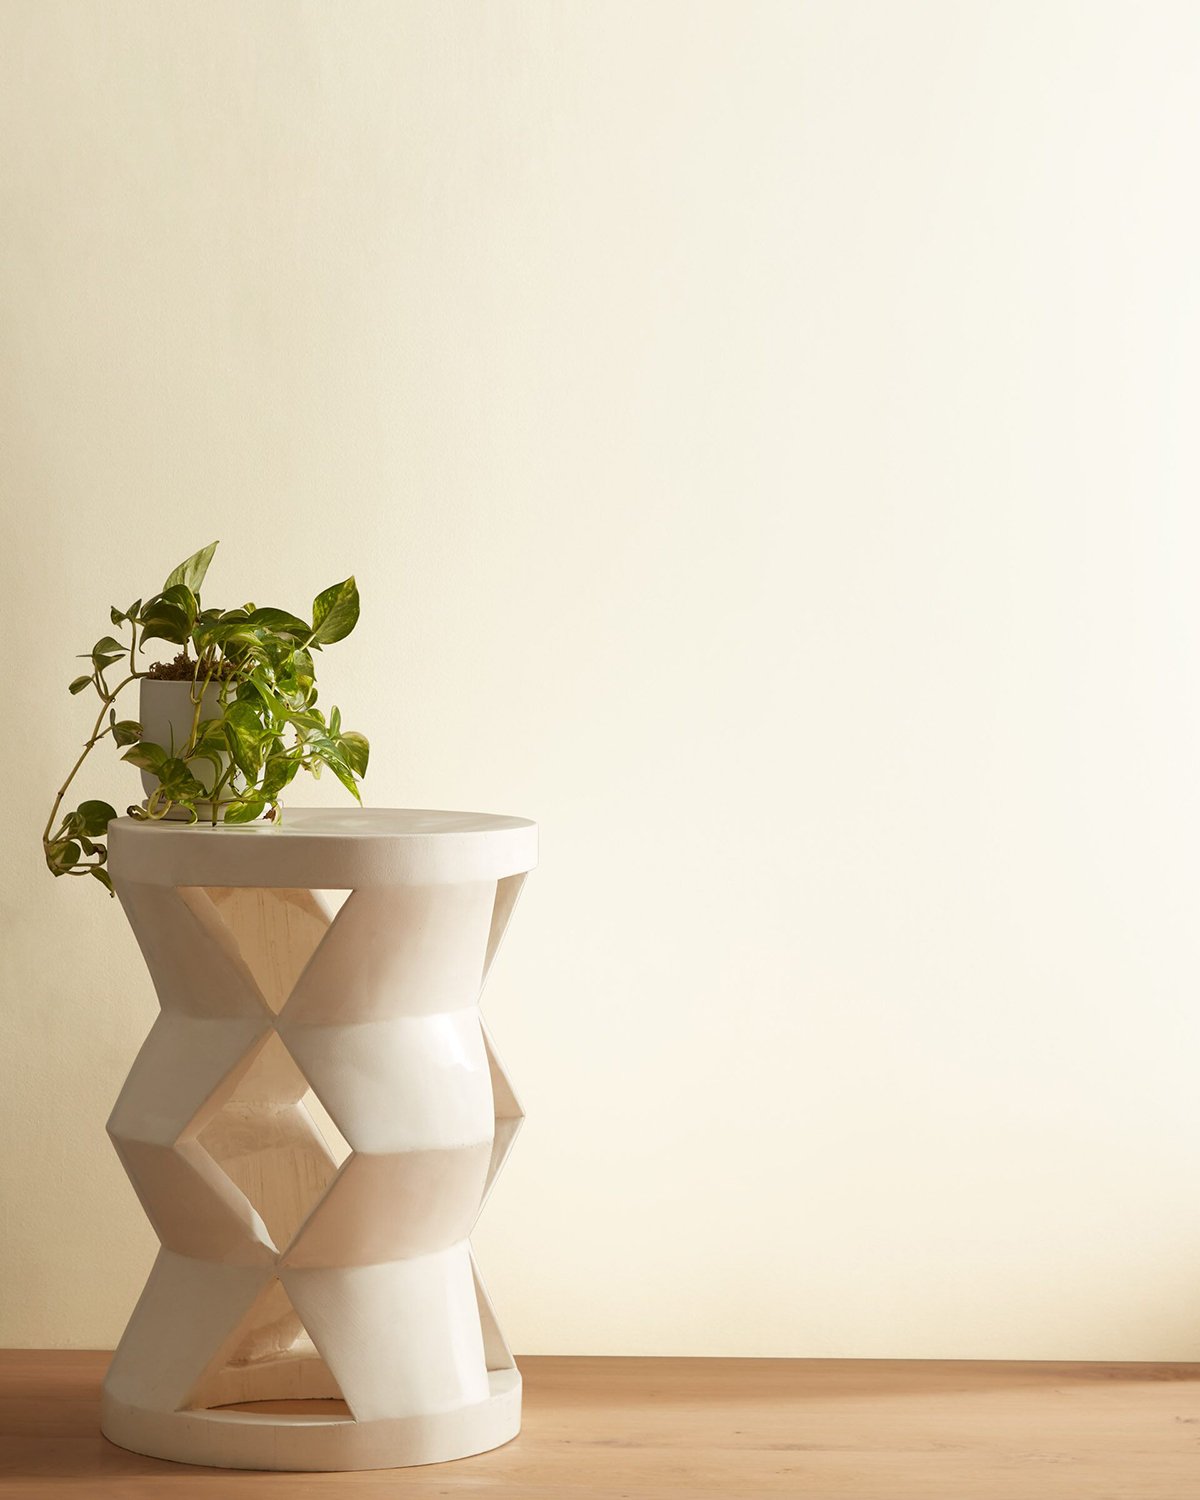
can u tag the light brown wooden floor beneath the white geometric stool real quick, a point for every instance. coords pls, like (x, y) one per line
(739, 1429)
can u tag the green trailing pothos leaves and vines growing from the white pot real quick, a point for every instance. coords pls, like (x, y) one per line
(254, 721)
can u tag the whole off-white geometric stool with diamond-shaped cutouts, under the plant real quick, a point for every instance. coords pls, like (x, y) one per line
(313, 1127)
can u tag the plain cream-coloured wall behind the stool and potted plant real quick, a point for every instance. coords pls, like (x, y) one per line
(766, 440)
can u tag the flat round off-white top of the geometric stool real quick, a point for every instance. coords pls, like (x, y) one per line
(326, 848)
